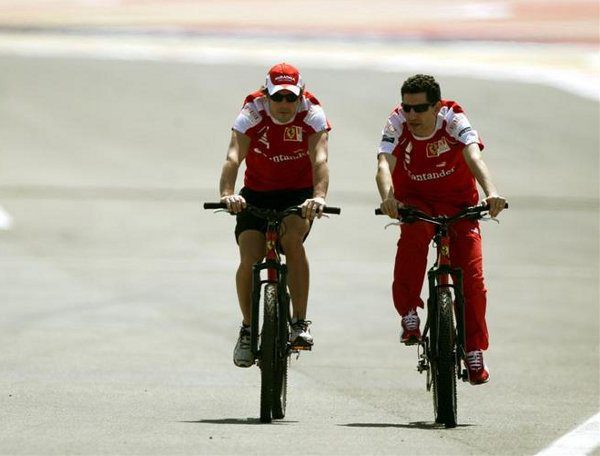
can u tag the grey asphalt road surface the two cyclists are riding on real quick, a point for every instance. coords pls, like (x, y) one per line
(118, 304)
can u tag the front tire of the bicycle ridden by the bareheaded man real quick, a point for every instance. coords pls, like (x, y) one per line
(444, 365)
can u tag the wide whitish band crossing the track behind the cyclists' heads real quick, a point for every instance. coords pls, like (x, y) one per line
(574, 69)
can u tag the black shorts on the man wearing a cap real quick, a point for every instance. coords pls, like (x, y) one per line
(278, 200)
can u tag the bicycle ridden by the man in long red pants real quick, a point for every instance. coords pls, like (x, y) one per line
(442, 348)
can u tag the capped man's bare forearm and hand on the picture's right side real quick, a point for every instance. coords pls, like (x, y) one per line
(318, 152)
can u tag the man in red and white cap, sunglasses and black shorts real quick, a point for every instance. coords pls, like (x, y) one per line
(281, 133)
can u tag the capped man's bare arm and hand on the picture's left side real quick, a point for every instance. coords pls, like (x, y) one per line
(236, 153)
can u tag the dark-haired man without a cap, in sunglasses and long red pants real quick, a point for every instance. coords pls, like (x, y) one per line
(430, 158)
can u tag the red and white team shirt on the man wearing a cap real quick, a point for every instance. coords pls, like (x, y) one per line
(278, 157)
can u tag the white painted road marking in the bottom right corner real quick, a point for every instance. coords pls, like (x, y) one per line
(581, 441)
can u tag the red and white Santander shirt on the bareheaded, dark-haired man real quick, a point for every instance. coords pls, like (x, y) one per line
(432, 169)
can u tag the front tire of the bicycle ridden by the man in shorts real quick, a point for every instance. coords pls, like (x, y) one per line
(268, 353)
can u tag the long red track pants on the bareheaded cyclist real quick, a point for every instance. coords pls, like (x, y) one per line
(465, 253)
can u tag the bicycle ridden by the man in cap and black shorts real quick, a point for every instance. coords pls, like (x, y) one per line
(274, 349)
